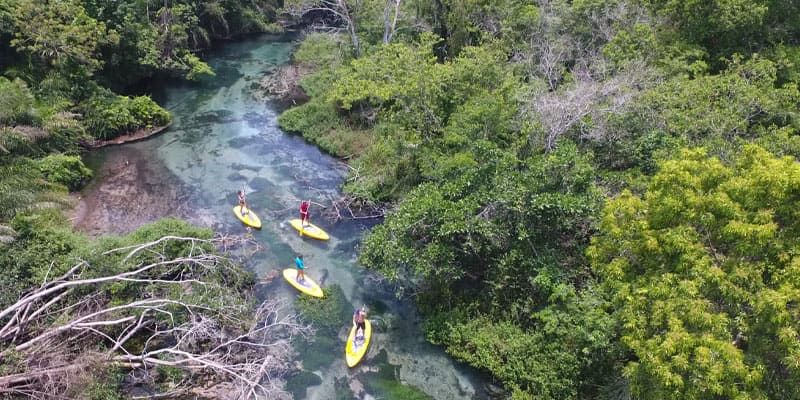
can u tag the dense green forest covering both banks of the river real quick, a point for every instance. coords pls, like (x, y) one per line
(589, 199)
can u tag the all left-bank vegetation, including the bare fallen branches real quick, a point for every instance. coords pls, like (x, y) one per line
(161, 310)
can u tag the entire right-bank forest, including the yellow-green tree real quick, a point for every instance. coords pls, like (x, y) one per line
(593, 199)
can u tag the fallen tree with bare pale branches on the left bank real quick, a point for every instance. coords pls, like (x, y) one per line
(168, 307)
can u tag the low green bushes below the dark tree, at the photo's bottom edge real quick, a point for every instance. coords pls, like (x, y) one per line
(570, 342)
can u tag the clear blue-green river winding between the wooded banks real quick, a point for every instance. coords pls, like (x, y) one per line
(223, 139)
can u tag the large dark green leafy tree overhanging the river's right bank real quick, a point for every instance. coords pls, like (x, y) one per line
(507, 213)
